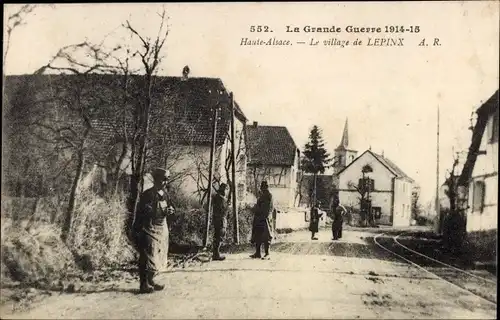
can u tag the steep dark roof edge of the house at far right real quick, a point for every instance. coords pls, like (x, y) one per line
(483, 113)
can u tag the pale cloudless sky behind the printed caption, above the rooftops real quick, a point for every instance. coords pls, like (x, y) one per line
(389, 94)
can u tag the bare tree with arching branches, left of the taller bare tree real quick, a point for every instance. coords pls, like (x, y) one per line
(73, 95)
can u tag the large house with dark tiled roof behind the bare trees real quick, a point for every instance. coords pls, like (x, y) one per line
(180, 123)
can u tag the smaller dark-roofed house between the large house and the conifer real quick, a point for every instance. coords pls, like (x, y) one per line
(273, 156)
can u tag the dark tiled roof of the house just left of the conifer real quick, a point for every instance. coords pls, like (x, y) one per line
(270, 145)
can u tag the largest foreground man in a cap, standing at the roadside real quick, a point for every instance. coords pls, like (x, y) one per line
(154, 206)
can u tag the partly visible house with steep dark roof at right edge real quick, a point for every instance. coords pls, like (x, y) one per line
(480, 178)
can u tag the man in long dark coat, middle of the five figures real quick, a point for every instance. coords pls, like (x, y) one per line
(261, 231)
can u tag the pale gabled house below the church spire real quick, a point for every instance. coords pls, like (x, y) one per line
(390, 188)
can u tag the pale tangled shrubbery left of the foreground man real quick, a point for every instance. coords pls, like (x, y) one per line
(34, 250)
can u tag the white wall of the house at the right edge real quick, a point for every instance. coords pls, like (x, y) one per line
(485, 169)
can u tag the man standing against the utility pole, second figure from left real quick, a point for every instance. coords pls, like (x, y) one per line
(219, 220)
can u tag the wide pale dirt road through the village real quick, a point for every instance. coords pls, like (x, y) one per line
(350, 278)
